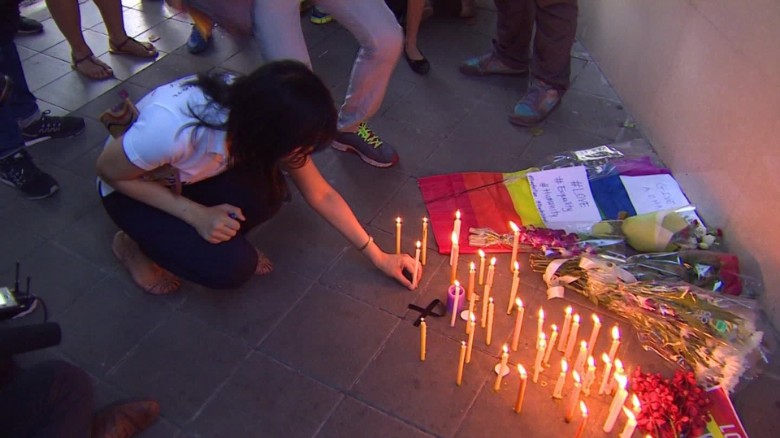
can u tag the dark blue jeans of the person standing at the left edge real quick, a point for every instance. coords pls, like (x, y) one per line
(20, 104)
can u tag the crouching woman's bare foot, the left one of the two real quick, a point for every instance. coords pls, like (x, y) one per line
(147, 274)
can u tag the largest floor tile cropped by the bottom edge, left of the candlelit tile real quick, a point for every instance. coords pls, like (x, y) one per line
(264, 399)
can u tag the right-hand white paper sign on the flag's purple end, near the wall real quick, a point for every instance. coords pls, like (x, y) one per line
(651, 193)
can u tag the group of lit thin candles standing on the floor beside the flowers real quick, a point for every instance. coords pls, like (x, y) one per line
(612, 381)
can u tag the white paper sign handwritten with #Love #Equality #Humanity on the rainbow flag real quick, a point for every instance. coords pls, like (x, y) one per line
(563, 196)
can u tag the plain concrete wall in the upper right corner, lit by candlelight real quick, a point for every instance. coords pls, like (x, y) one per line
(702, 79)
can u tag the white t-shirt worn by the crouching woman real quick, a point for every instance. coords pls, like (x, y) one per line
(165, 133)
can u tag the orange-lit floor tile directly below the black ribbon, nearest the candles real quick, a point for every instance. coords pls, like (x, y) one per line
(422, 393)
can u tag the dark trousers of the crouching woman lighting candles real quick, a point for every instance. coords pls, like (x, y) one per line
(177, 247)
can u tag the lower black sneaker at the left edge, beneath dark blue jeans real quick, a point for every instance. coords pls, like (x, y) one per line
(20, 171)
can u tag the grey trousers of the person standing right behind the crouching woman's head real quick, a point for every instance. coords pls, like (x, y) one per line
(277, 27)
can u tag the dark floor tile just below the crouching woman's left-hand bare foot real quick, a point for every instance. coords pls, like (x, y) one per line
(107, 323)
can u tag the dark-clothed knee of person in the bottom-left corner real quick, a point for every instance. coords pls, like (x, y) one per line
(51, 399)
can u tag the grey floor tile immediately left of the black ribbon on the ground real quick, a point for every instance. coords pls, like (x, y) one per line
(313, 337)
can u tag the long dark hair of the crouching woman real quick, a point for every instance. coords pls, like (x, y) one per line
(281, 110)
